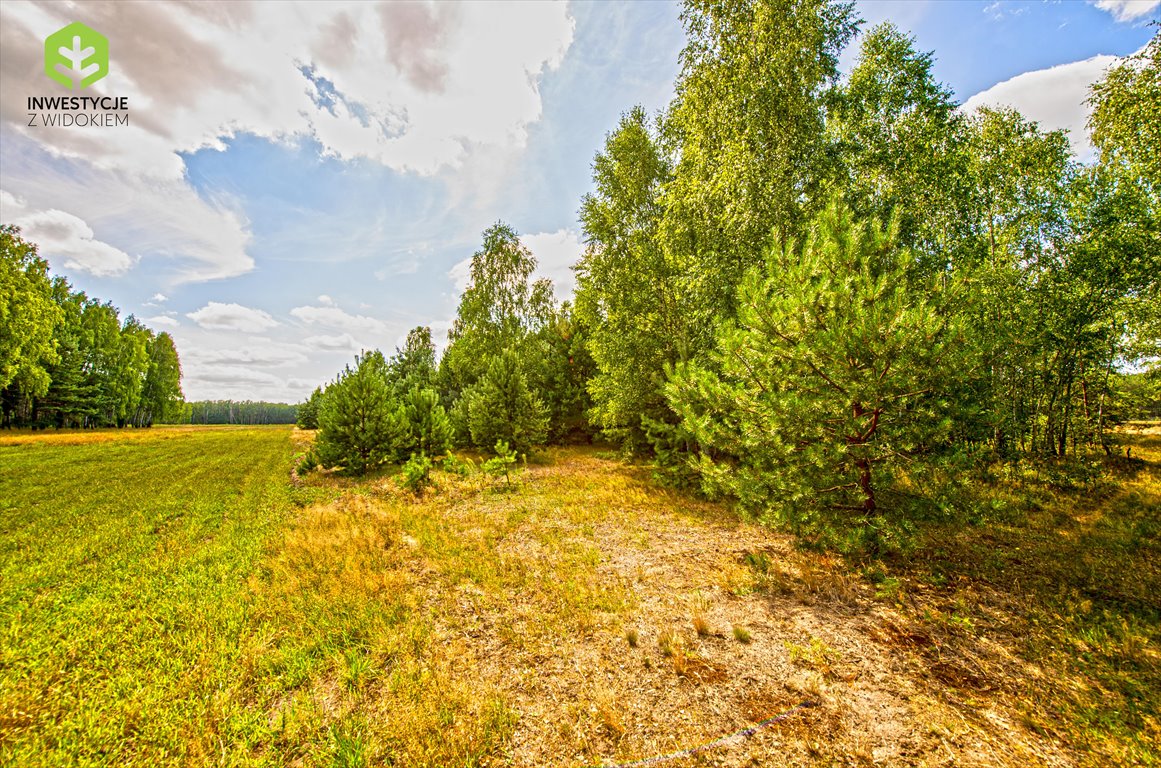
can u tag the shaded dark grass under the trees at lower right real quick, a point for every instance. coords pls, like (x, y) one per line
(1066, 577)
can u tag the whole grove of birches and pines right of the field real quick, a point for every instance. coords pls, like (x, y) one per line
(802, 291)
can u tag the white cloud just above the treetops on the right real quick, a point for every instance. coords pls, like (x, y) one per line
(1056, 98)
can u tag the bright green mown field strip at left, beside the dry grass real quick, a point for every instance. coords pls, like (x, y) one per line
(124, 601)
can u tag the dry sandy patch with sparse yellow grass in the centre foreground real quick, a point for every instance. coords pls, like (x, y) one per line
(856, 679)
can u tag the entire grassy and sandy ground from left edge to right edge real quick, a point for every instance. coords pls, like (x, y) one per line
(176, 597)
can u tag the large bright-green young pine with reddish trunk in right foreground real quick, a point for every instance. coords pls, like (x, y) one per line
(828, 377)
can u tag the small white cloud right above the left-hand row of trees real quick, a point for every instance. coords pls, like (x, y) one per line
(64, 240)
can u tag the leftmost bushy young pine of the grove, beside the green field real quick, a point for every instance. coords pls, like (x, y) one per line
(358, 427)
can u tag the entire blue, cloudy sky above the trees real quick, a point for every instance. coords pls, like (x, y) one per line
(301, 182)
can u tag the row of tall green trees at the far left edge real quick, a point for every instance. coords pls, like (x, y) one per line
(68, 361)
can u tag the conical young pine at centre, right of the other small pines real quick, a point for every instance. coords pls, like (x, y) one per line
(502, 407)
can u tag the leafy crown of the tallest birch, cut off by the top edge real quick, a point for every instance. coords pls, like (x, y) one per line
(749, 119)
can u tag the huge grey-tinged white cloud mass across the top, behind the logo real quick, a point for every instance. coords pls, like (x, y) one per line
(415, 87)
